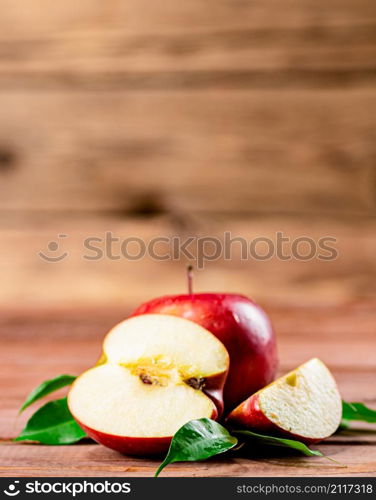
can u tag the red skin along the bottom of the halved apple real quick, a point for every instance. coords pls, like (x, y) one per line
(136, 446)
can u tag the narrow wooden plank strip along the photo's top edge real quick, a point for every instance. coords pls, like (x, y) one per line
(139, 16)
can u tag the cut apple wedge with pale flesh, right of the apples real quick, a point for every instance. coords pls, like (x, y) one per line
(304, 404)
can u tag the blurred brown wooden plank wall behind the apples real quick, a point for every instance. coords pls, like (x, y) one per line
(251, 117)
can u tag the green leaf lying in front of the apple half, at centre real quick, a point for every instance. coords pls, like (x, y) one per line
(198, 440)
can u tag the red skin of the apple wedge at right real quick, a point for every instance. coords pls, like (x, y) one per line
(248, 415)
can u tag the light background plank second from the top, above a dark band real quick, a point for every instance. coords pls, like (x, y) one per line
(276, 49)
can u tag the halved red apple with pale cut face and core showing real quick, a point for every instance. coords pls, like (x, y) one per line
(157, 372)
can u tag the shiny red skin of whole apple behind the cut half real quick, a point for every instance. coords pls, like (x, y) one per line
(241, 325)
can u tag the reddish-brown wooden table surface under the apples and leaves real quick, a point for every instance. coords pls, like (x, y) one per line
(36, 345)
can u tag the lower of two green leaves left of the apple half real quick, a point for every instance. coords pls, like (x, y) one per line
(52, 424)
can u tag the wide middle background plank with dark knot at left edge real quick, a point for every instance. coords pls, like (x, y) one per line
(241, 152)
